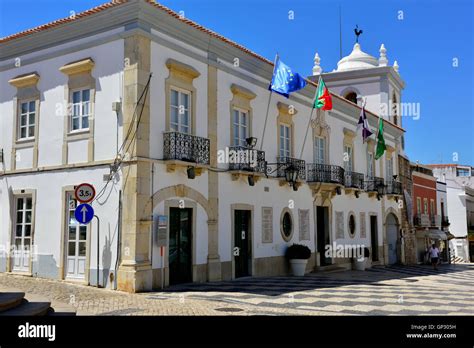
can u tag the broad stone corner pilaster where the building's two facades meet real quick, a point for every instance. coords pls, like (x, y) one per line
(135, 273)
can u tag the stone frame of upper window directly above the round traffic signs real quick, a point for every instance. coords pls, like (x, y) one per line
(79, 74)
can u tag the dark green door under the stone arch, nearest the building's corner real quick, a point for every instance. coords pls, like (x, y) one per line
(180, 245)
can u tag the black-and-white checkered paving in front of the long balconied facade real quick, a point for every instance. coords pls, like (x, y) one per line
(395, 290)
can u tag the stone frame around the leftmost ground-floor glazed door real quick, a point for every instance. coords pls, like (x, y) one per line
(16, 194)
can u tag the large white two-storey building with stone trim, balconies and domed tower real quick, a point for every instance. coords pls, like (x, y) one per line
(73, 91)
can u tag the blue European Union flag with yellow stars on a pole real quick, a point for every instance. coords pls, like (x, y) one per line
(284, 80)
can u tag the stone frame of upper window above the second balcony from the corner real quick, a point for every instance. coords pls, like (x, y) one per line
(241, 101)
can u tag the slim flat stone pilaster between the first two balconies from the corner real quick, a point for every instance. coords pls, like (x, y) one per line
(213, 259)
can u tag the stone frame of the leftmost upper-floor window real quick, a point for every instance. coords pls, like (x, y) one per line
(26, 91)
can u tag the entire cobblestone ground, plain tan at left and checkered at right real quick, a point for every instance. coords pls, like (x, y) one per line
(395, 290)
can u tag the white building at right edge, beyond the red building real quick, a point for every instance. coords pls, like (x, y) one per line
(459, 181)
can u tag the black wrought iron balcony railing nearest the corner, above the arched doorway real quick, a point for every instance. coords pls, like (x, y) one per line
(185, 147)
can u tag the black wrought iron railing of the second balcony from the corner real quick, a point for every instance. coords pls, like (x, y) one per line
(247, 159)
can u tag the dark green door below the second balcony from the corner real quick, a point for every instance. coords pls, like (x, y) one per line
(242, 254)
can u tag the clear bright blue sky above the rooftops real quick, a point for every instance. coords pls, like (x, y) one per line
(431, 34)
